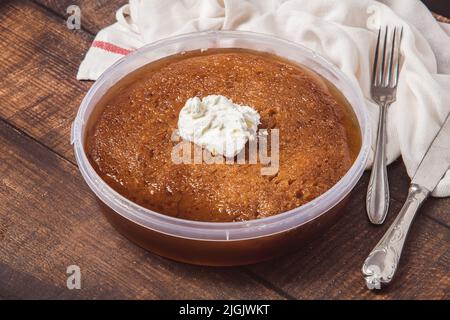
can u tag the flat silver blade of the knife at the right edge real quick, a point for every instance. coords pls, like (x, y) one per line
(436, 160)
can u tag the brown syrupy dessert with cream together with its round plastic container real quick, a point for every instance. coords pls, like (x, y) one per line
(221, 213)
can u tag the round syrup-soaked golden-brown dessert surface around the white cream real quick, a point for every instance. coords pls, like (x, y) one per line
(130, 137)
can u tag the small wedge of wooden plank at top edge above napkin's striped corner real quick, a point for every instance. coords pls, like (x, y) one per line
(95, 15)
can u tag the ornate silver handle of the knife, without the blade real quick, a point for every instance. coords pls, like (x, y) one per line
(381, 264)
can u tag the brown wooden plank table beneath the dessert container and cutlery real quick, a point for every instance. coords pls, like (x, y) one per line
(49, 219)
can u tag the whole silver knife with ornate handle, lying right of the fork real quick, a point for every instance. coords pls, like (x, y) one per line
(381, 264)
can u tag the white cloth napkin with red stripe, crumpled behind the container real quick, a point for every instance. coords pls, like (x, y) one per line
(343, 31)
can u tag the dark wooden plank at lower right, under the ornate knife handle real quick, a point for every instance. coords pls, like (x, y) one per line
(330, 266)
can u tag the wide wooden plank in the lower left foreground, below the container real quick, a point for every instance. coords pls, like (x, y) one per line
(50, 220)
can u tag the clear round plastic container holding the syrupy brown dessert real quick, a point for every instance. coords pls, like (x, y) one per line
(231, 243)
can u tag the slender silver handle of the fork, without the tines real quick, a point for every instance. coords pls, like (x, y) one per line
(377, 199)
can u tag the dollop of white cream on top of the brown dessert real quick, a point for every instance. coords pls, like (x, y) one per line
(218, 124)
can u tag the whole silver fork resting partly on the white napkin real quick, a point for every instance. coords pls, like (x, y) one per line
(385, 75)
